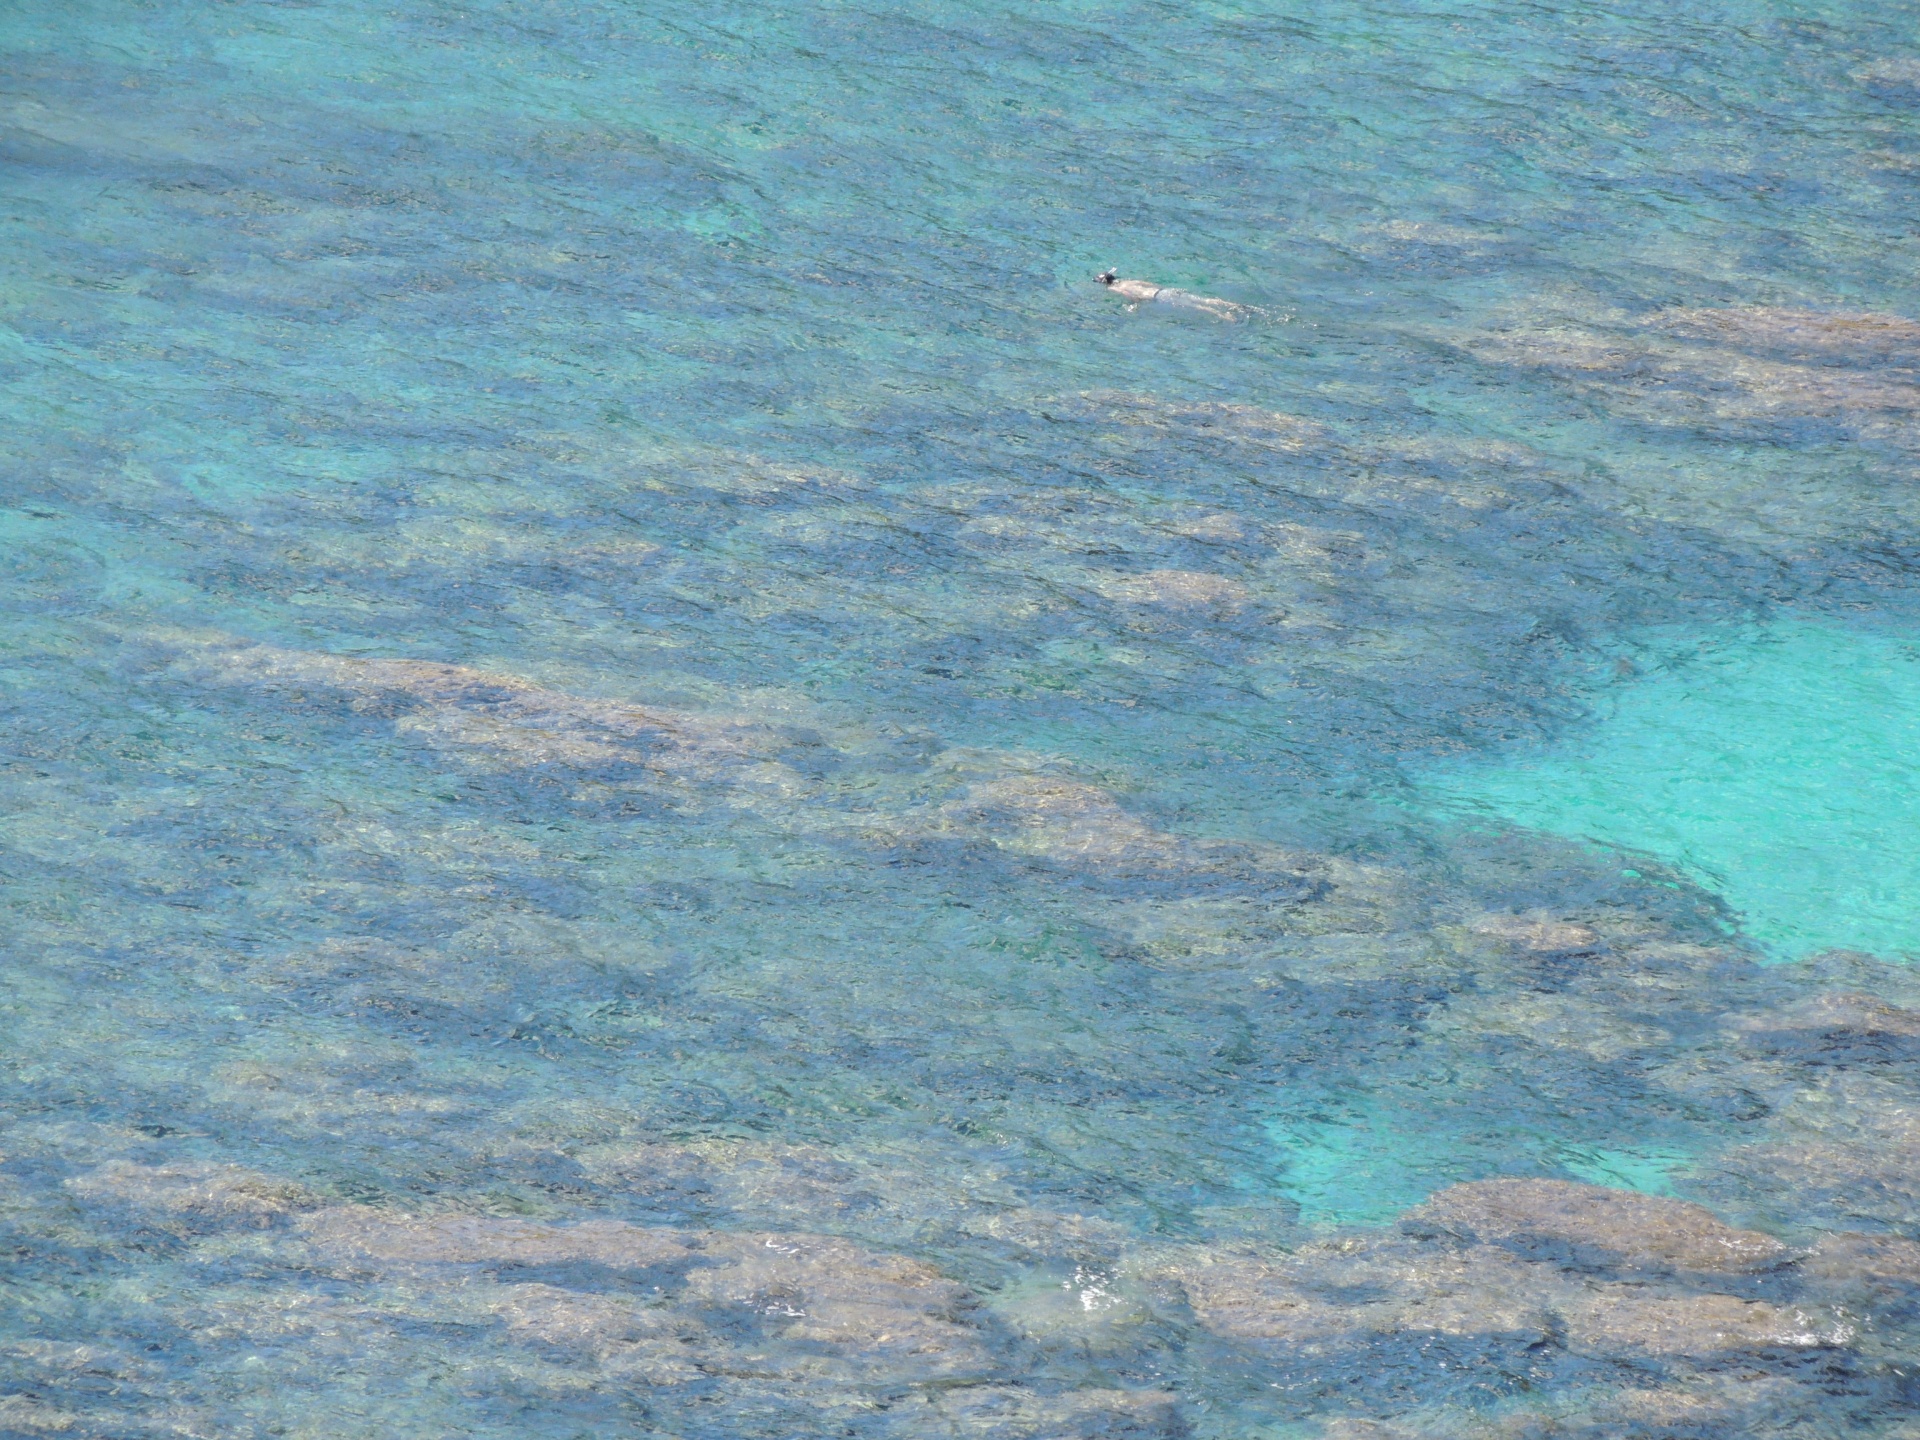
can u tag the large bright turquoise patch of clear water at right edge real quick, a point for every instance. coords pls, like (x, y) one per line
(1777, 767)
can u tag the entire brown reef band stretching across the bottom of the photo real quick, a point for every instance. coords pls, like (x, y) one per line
(1543, 1272)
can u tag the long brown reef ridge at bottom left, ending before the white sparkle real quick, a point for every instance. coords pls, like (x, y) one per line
(658, 1305)
